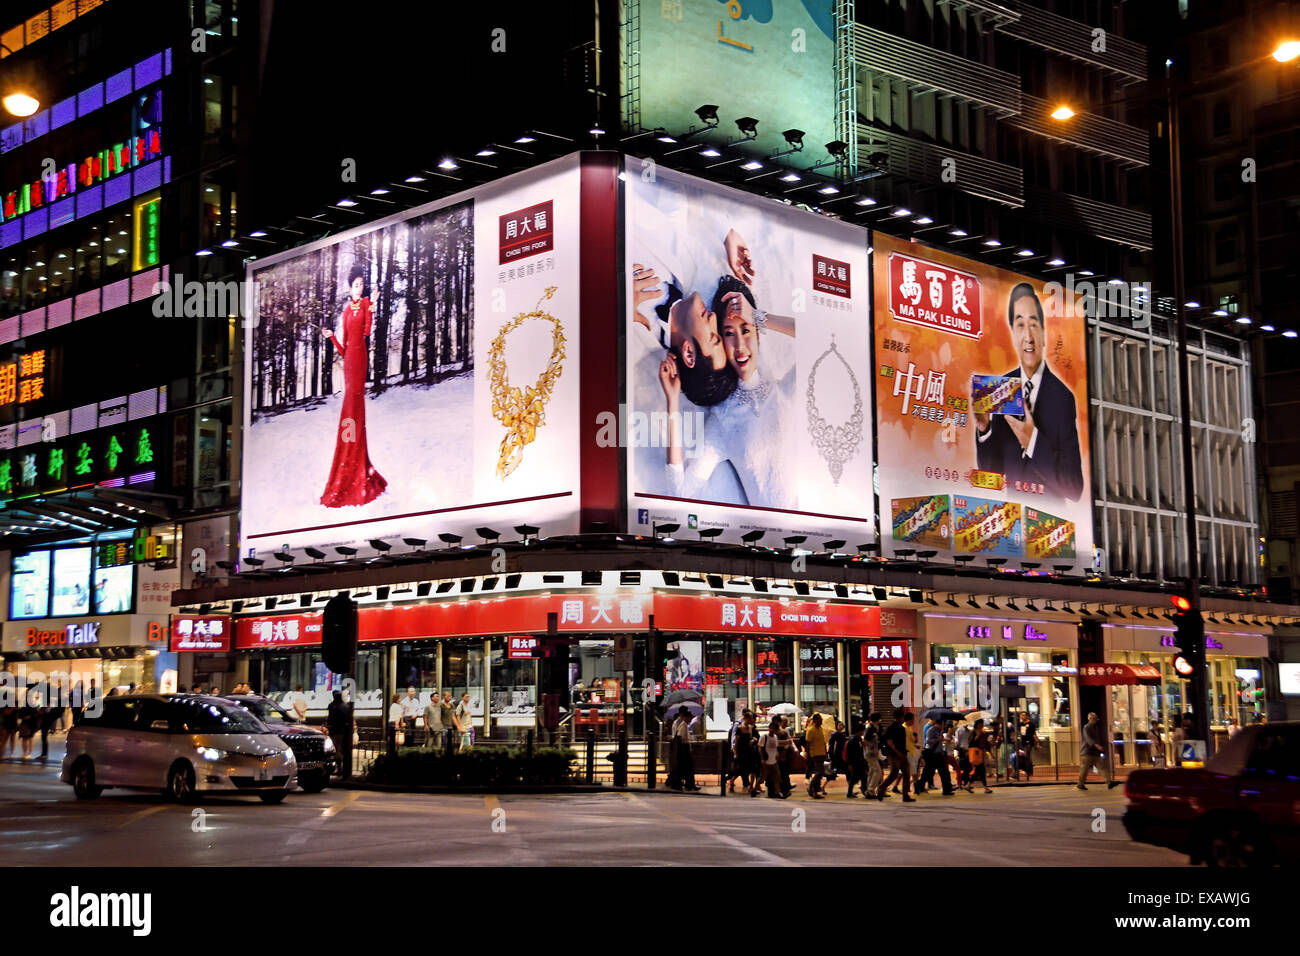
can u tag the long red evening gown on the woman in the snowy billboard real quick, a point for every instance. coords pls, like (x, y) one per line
(353, 481)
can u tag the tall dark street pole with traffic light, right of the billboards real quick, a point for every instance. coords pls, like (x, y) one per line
(1198, 698)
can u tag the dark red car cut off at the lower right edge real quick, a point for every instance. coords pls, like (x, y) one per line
(1241, 810)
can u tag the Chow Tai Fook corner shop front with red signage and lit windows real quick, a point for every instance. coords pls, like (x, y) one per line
(574, 661)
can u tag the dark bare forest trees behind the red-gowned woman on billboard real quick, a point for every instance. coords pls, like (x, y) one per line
(421, 282)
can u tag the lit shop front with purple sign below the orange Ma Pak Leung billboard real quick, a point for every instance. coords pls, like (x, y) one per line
(986, 651)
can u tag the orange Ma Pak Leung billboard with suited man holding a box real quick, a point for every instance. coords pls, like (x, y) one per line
(982, 410)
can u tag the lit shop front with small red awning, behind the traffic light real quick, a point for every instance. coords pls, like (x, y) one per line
(1236, 663)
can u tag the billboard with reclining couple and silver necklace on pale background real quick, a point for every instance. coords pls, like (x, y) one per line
(748, 365)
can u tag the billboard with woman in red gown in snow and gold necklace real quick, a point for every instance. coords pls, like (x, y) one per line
(419, 375)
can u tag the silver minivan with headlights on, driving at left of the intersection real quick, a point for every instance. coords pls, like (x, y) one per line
(180, 743)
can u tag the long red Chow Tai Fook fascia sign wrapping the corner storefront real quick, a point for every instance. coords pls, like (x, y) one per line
(590, 613)
